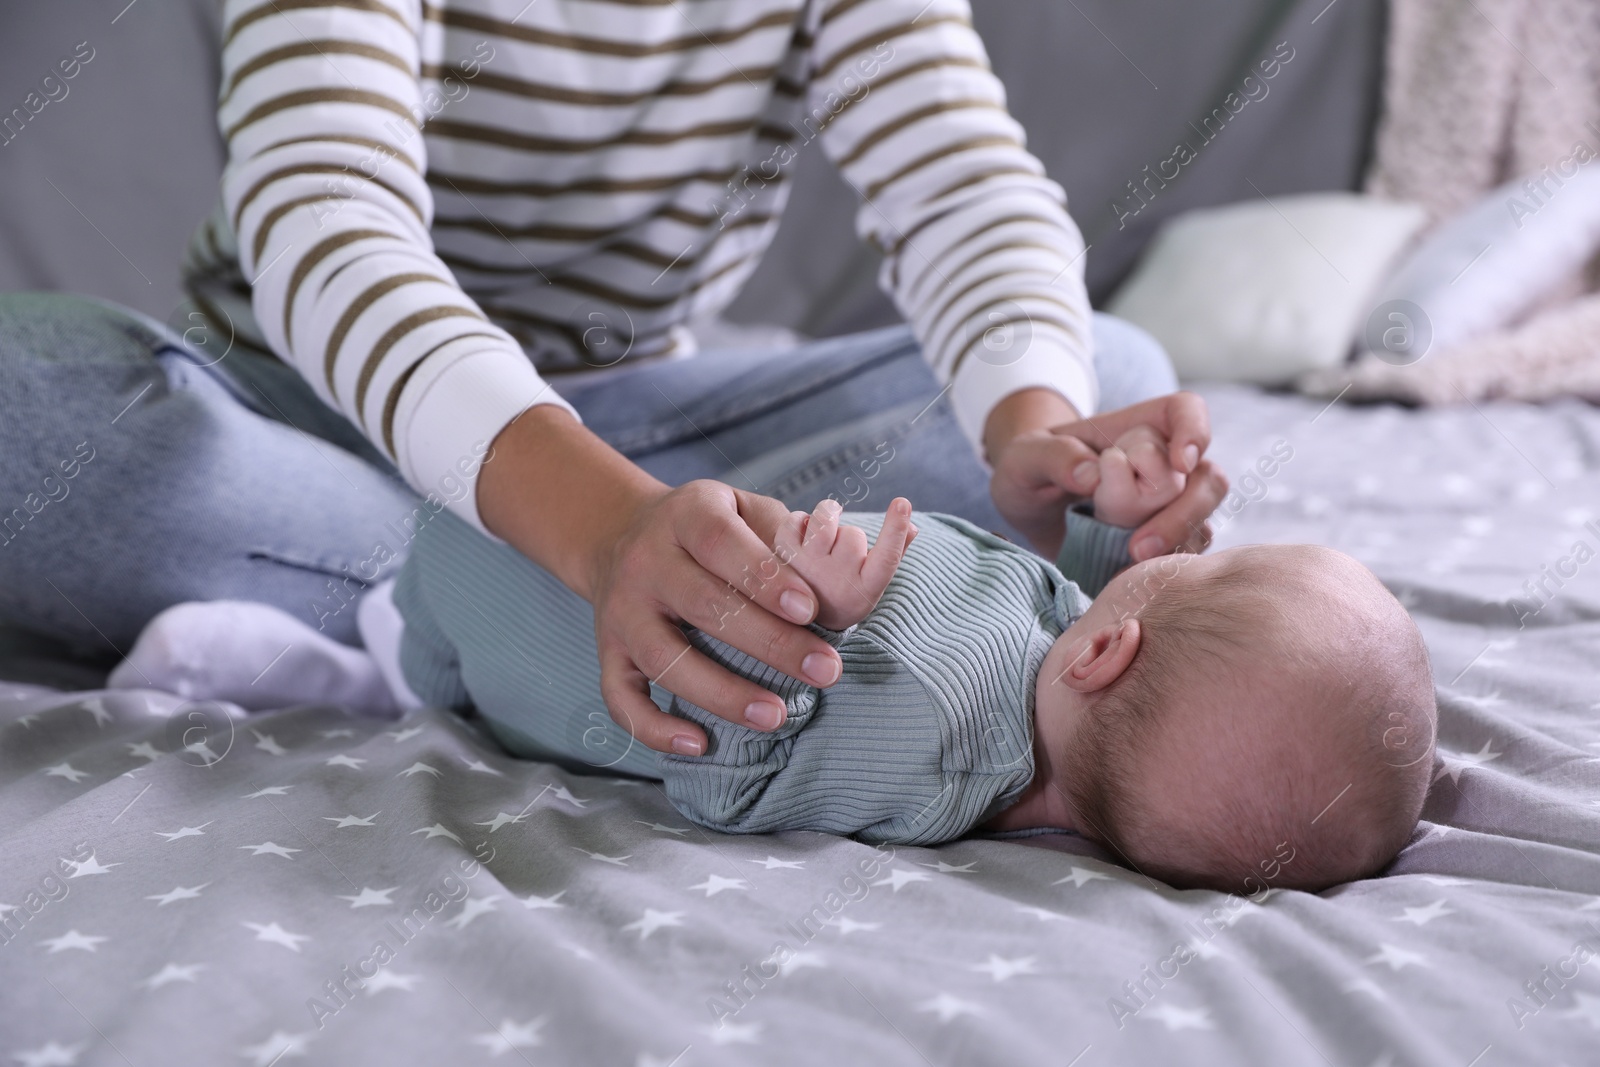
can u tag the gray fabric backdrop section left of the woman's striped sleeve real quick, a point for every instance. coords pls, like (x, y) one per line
(102, 190)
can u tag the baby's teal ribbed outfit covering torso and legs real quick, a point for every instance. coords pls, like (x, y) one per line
(927, 733)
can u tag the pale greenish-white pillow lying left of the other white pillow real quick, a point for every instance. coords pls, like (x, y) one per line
(1262, 292)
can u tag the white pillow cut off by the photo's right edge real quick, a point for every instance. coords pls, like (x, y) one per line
(1500, 260)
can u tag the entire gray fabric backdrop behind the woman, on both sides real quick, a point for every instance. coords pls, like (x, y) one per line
(105, 186)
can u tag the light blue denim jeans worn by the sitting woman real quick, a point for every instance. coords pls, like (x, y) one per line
(196, 478)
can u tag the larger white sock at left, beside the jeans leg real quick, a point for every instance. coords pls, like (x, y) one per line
(252, 655)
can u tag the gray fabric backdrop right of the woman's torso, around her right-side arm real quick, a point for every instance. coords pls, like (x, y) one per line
(1105, 90)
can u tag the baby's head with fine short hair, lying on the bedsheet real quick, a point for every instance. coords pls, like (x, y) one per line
(1225, 631)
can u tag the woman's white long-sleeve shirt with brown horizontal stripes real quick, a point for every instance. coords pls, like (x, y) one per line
(430, 206)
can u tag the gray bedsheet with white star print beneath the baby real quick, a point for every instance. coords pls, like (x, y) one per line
(191, 895)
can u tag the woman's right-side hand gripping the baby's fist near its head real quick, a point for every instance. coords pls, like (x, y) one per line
(1046, 458)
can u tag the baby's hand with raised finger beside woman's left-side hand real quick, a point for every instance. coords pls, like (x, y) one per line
(836, 562)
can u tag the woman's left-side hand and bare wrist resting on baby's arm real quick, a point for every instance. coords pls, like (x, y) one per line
(649, 559)
